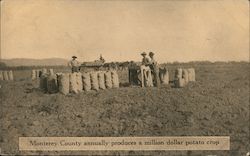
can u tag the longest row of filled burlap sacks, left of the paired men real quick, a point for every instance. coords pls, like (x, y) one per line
(77, 82)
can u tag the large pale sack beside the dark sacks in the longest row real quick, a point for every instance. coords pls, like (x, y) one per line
(63, 83)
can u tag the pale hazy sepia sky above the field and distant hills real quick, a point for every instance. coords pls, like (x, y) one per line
(183, 30)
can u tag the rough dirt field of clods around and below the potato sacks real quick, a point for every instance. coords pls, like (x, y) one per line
(217, 104)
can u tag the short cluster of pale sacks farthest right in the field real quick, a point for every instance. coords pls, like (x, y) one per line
(183, 76)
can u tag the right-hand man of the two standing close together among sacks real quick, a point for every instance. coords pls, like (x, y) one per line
(155, 69)
